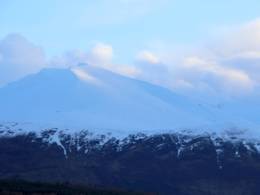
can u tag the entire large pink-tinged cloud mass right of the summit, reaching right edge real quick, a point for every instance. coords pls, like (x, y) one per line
(228, 64)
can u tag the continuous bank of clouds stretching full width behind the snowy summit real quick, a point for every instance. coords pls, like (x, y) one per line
(228, 64)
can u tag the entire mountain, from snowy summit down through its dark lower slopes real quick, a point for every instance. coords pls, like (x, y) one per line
(86, 125)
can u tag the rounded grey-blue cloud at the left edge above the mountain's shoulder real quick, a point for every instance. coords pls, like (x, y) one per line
(19, 57)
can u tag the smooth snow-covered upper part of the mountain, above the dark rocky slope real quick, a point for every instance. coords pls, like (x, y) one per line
(94, 98)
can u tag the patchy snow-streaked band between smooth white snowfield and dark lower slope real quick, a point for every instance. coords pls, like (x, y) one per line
(84, 141)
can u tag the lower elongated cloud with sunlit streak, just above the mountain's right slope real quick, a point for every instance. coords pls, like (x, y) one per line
(199, 74)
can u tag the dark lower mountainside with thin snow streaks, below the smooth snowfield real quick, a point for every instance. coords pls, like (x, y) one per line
(171, 164)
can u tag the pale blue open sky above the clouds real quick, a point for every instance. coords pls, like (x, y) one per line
(127, 25)
